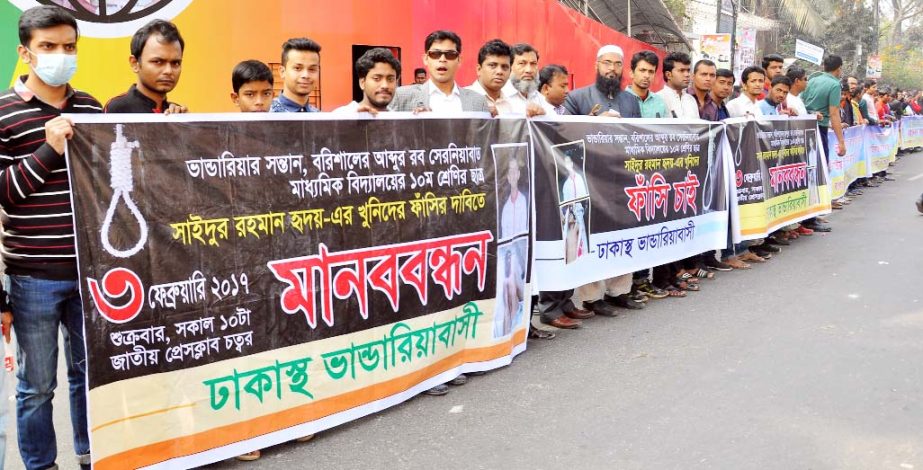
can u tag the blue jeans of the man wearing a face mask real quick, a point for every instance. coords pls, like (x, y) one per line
(41, 307)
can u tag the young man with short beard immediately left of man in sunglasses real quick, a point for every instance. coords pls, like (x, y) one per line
(377, 70)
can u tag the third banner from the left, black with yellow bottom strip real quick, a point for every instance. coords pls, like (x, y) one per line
(779, 172)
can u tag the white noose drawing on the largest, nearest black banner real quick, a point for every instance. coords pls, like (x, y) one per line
(122, 184)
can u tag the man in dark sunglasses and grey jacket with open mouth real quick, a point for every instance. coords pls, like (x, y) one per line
(440, 94)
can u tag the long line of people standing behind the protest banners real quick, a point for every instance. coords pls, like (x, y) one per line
(38, 233)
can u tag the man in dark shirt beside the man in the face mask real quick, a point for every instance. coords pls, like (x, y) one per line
(157, 58)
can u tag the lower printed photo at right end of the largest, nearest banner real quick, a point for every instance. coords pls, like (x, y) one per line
(511, 281)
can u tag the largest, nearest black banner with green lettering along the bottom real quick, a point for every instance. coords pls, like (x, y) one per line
(250, 281)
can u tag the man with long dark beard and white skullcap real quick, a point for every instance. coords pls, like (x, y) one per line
(605, 97)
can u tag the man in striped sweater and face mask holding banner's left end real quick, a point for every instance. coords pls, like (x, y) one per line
(38, 231)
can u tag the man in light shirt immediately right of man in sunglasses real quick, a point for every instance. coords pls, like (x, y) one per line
(493, 73)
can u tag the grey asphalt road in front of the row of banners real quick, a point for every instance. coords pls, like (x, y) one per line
(812, 361)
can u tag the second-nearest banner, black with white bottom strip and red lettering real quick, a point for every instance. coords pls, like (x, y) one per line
(613, 197)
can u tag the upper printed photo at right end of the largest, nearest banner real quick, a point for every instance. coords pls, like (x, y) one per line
(512, 189)
